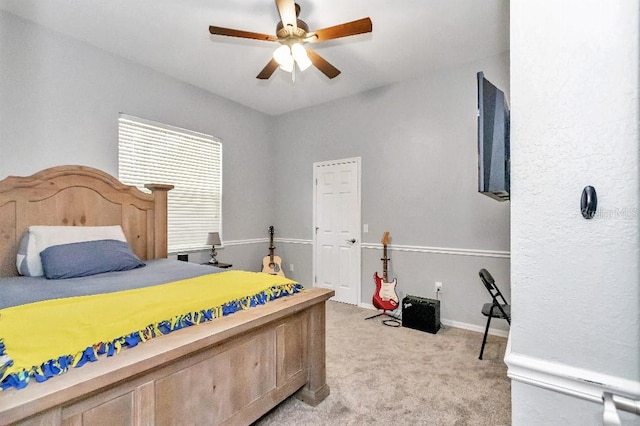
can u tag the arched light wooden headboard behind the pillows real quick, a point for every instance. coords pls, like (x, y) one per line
(81, 196)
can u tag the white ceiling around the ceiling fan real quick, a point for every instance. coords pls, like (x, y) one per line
(410, 38)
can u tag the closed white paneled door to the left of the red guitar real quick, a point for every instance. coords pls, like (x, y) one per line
(336, 248)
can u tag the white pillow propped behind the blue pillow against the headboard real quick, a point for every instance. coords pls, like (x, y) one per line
(38, 238)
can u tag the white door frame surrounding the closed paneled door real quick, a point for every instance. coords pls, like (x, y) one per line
(358, 231)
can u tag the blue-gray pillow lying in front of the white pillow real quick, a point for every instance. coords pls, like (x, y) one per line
(88, 258)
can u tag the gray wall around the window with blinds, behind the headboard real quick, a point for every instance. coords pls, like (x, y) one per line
(59, 104)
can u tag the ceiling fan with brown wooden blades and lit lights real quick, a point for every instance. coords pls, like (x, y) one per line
(293, 33)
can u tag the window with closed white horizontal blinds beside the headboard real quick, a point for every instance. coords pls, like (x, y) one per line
(151, 152)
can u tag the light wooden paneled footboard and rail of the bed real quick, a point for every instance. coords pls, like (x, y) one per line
(229, 371)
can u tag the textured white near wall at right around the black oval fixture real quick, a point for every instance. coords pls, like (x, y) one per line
(575, 119)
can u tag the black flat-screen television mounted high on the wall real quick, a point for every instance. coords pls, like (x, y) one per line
(493, 141)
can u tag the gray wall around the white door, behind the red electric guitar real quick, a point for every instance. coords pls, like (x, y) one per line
(417, 140)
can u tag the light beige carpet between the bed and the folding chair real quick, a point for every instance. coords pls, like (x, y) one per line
(385, 375)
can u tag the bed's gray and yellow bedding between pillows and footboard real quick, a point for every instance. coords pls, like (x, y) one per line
(49, 326)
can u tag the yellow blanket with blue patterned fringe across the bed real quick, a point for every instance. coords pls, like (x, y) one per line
(73, 330)
